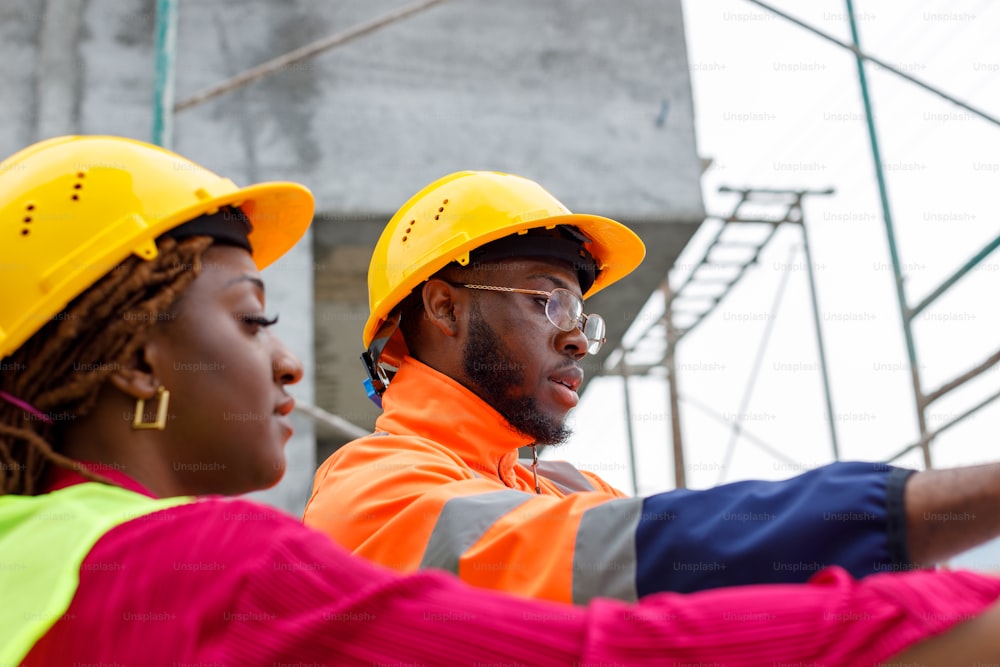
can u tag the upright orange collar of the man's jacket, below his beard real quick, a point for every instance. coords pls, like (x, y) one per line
(423, 402)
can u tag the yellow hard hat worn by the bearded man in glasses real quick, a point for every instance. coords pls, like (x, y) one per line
(456, 214)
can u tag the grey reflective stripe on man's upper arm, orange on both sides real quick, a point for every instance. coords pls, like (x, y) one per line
(462, 522)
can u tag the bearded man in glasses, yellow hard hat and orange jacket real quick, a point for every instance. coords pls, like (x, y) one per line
(476, 289)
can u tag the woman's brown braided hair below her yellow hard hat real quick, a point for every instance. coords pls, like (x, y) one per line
(62, 367)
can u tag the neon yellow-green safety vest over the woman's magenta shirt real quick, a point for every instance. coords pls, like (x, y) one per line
(43, 542)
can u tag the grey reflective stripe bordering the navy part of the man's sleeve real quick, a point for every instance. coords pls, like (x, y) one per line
(604, 561)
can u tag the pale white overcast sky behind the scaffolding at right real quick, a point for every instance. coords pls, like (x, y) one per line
(777, 107)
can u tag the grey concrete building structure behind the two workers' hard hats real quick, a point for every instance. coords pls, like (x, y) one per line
(591, 98)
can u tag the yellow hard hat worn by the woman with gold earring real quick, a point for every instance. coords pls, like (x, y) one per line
(71, 208)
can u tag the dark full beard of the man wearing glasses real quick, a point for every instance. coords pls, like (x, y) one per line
(495, 375)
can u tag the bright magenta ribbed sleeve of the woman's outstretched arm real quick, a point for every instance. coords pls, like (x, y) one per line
(231, 582)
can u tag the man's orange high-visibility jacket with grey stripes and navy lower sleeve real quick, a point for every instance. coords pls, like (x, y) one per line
(438, 485)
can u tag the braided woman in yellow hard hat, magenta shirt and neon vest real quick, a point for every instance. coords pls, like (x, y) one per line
(139, 377)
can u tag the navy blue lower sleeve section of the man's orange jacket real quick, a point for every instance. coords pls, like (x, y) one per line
(846, 514)
